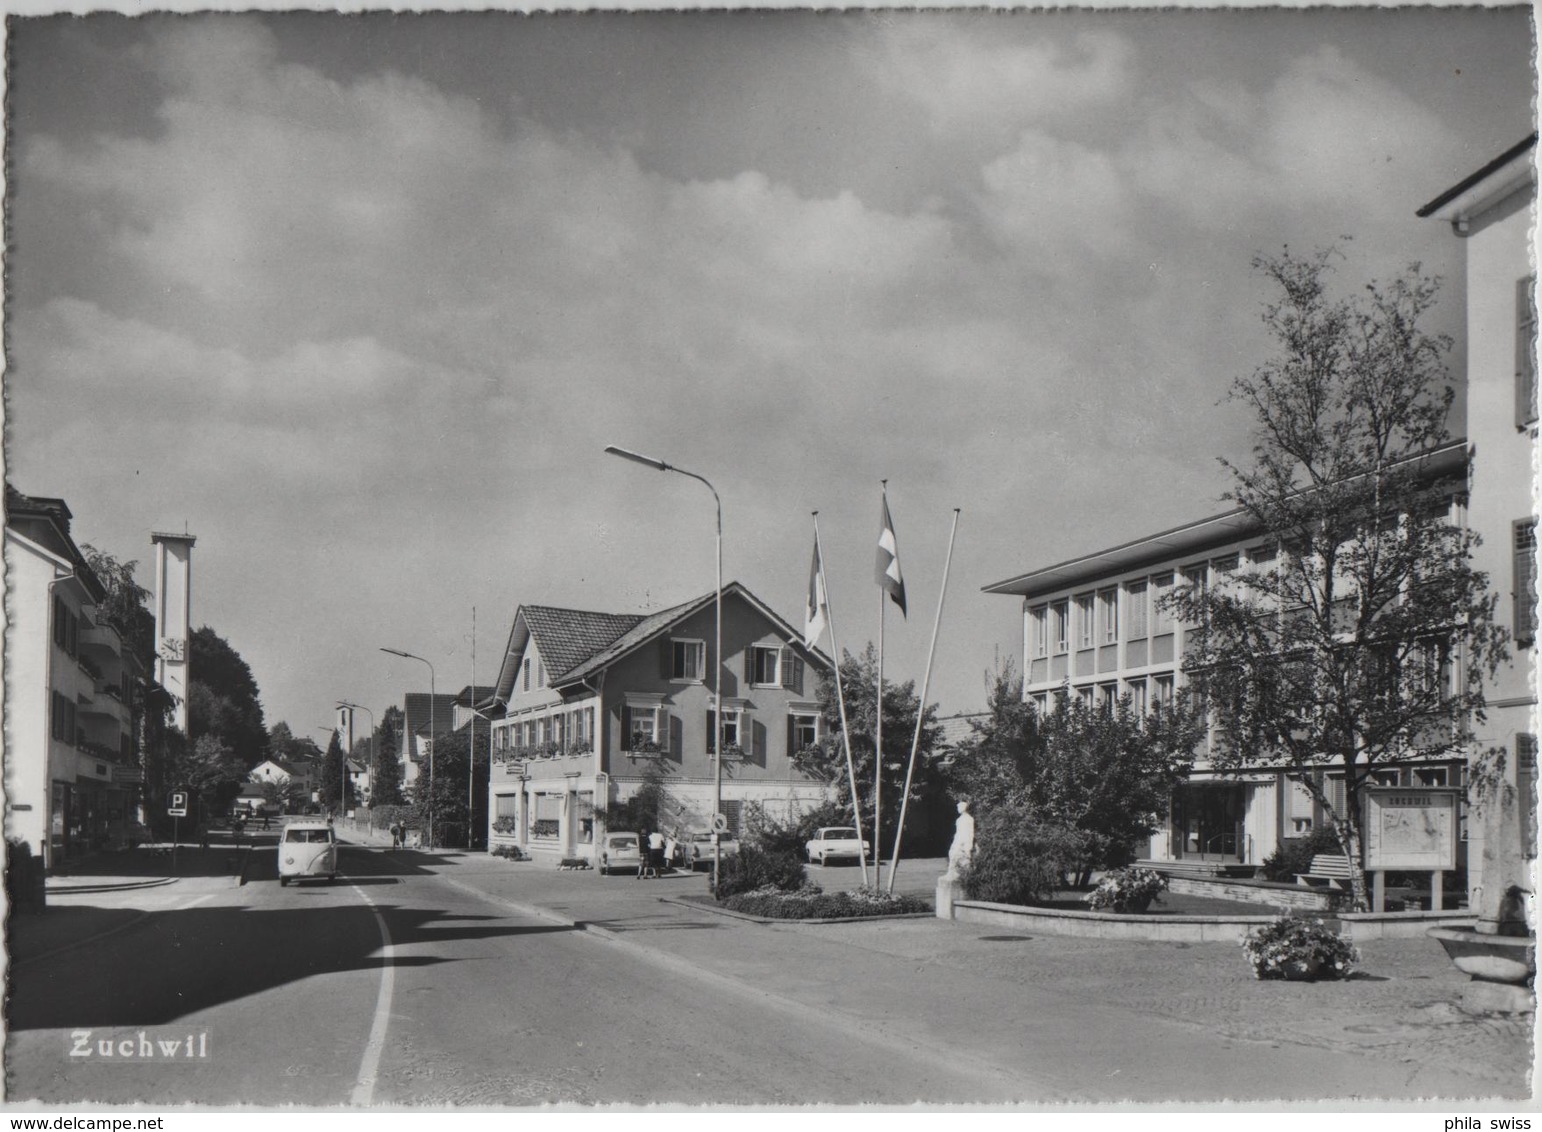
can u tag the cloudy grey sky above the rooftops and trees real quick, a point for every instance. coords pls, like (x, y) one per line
(359, 302)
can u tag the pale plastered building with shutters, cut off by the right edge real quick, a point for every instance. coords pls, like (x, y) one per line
(1493, 212)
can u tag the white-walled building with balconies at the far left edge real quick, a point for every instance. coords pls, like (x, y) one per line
(72, 763)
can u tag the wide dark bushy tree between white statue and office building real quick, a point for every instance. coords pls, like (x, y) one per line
(1097, 777)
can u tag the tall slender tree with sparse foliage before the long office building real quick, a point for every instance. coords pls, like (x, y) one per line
(1336, 656)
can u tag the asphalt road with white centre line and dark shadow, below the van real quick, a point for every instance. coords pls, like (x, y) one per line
(397, 988)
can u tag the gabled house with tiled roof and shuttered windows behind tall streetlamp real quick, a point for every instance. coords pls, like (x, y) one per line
(591, 706)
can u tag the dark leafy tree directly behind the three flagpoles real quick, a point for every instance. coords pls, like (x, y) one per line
(829, 761)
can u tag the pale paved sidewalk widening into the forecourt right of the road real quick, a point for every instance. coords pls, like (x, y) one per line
(998, 994)
